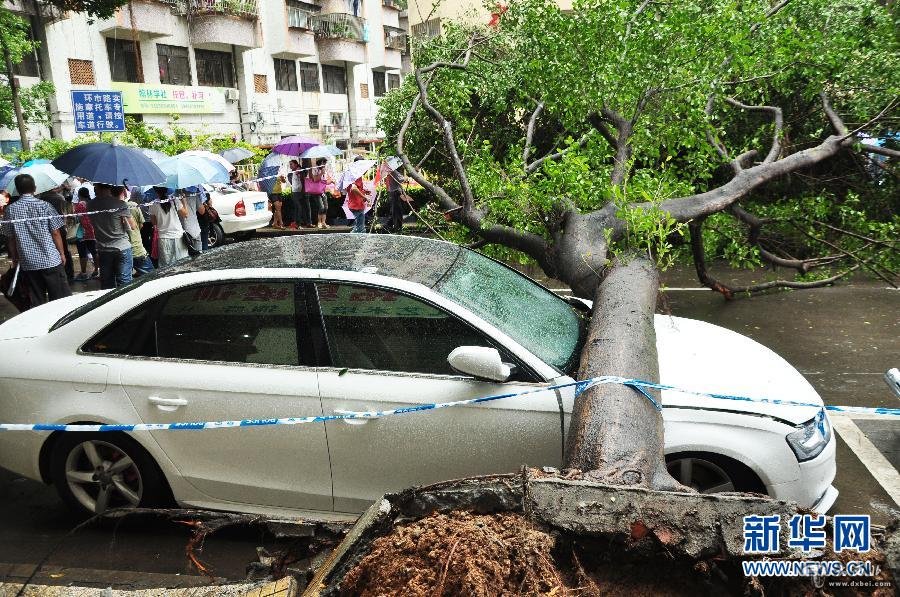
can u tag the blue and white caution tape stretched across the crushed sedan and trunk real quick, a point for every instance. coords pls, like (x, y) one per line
(580, 386)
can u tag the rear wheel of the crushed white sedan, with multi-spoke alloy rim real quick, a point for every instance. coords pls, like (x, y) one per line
(91, 475)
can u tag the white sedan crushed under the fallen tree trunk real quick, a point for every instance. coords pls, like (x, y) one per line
(296, 327)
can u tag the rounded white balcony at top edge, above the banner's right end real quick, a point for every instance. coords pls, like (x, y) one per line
(231, 22)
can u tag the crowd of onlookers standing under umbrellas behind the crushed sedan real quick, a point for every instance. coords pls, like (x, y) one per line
(122, 233)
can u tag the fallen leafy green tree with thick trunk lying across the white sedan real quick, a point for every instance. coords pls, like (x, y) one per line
(586, 140)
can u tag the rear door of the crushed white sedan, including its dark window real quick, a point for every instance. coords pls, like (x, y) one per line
(228, 351)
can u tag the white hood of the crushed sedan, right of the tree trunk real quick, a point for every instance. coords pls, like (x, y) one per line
(702, 357)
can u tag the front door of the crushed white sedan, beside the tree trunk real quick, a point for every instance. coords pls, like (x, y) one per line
(388, 350)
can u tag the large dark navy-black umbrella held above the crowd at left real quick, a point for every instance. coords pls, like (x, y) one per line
(110, 163)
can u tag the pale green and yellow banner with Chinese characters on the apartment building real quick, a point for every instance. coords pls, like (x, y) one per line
(140, 98)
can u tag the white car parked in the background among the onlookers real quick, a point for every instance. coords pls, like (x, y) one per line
(242, 212)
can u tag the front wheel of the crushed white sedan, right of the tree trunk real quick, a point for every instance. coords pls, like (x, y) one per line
(712, 473)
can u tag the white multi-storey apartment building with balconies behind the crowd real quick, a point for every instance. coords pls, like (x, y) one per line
(253, 69)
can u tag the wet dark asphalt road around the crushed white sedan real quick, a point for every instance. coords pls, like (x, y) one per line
(841, 338)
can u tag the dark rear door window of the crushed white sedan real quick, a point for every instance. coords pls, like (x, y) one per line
(246, 322)
